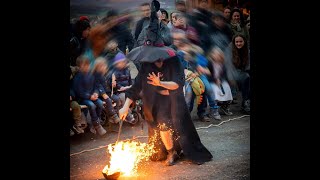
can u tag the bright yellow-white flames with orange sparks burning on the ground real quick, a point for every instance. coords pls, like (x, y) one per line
(125, 157)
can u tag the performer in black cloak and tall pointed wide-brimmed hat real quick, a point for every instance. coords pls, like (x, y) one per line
(160, 81)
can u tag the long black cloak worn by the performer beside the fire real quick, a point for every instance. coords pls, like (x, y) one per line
(185, 133)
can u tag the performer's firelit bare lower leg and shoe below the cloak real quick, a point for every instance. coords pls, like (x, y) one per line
(167, 140)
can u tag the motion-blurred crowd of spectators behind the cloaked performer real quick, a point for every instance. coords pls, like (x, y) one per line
(212, 45)
